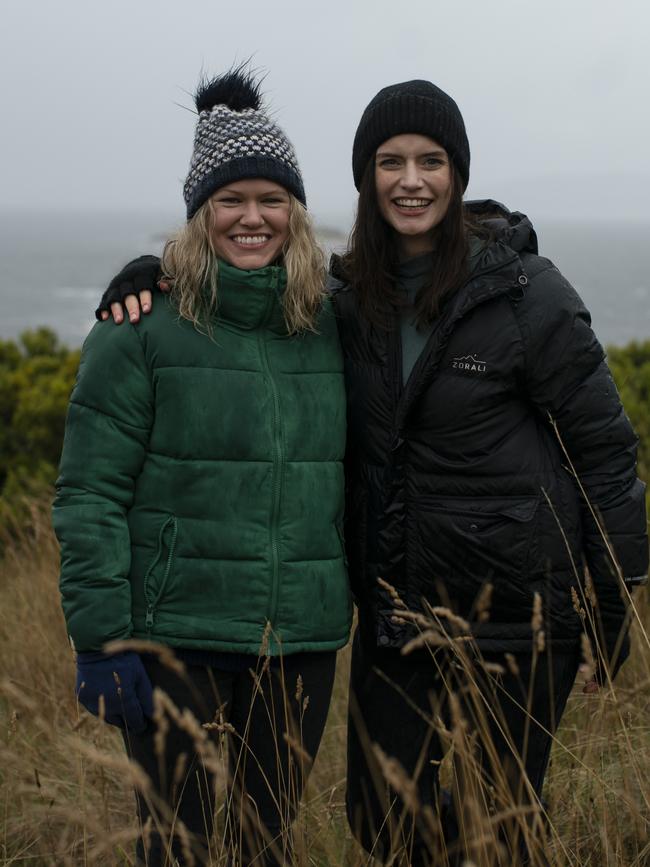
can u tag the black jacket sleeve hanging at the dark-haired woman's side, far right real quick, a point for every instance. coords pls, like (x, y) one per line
(567, 378)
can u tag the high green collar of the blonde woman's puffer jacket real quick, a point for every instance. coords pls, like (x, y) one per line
(251, 299)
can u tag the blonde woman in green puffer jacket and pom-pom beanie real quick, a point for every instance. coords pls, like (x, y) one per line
(200, 500)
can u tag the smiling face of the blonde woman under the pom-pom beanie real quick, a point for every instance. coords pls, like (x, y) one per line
(250, 222)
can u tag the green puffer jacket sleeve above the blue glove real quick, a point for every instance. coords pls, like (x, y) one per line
(107, 431)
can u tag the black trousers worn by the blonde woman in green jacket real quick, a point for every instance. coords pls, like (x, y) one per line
(271, 723)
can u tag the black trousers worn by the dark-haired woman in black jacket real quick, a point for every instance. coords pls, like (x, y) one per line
(499, 713)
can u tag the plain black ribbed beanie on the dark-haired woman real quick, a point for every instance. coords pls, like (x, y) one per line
(411, 107)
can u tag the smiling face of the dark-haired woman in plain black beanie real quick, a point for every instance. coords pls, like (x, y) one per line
(413, 179)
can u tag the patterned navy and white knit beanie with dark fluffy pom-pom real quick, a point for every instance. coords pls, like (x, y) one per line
(235, 139)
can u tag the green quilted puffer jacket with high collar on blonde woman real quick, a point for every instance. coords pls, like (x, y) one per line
(200, 494)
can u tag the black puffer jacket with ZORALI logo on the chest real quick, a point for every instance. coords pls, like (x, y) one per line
(458, 477)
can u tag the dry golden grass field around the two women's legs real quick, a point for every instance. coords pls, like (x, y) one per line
(66, 787)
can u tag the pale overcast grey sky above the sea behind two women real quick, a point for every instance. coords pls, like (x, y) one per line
(554, 94)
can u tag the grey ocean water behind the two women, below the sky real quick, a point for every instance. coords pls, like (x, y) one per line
(55, 267)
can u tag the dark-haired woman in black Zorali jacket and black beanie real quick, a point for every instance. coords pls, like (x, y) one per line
(489, 465)
